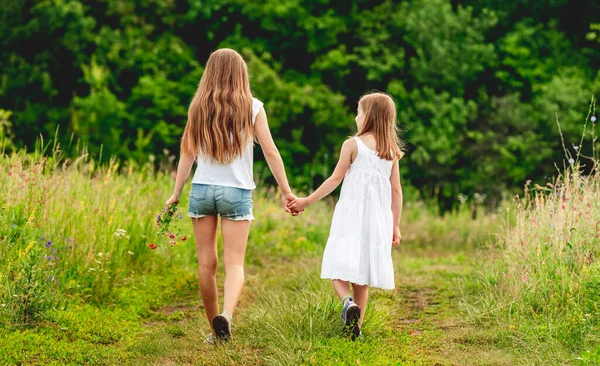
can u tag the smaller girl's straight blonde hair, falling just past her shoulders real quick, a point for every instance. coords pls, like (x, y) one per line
(380, 120)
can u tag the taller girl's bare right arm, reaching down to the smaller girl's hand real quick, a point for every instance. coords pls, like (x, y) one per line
(271, 153)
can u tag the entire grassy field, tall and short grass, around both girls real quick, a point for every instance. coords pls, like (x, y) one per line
(80, 284)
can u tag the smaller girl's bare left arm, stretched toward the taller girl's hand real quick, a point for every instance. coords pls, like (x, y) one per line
(348, 150)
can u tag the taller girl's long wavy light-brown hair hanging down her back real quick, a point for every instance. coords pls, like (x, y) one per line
(219, 124)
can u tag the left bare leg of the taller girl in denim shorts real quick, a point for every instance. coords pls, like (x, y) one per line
(205, 231)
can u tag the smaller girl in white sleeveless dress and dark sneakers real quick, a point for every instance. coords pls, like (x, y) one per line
(366, 220)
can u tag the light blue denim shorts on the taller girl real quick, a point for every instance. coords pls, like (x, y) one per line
(229, 202)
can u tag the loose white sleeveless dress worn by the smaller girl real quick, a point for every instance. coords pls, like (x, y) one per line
(359, 248)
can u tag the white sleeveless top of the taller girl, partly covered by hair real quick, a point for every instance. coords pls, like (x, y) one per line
(236, 174)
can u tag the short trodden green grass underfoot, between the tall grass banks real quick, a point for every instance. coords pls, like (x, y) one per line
(287, 316)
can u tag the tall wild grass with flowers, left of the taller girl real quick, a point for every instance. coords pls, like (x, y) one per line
(81, 227)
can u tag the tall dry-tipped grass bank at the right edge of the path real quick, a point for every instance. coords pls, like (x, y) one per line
(542, 281)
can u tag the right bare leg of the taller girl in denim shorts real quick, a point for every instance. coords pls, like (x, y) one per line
(235, 239)
